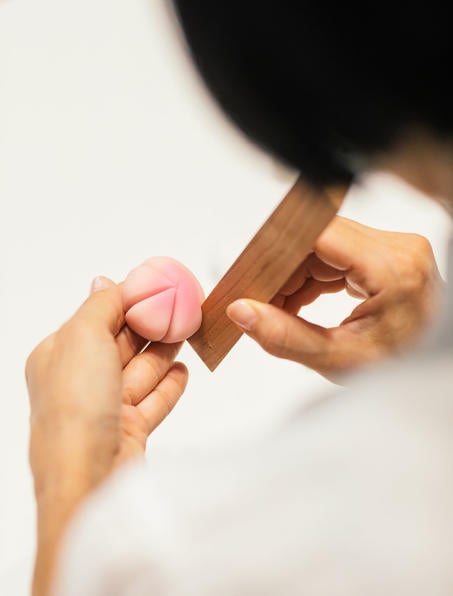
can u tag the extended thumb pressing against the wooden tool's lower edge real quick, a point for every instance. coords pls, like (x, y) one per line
(284, 335)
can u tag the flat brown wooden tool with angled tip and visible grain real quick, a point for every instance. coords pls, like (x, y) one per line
(267, 262)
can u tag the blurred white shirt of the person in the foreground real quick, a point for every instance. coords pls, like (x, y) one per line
(354, 497)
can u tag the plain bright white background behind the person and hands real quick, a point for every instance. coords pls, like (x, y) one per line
(110, 152)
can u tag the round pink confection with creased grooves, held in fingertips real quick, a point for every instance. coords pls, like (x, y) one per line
(162, 300)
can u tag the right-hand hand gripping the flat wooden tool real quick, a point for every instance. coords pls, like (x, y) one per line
(394, 274)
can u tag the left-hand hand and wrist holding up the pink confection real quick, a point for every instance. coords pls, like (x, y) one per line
(94, 401)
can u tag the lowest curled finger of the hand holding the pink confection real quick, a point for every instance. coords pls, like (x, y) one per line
(156, 406)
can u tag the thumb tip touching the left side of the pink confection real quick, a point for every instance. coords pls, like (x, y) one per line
(103, 309)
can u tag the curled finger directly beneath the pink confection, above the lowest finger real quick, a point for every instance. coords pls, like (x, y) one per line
(145, 371)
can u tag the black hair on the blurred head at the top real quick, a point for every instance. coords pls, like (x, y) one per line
(320, 84)
